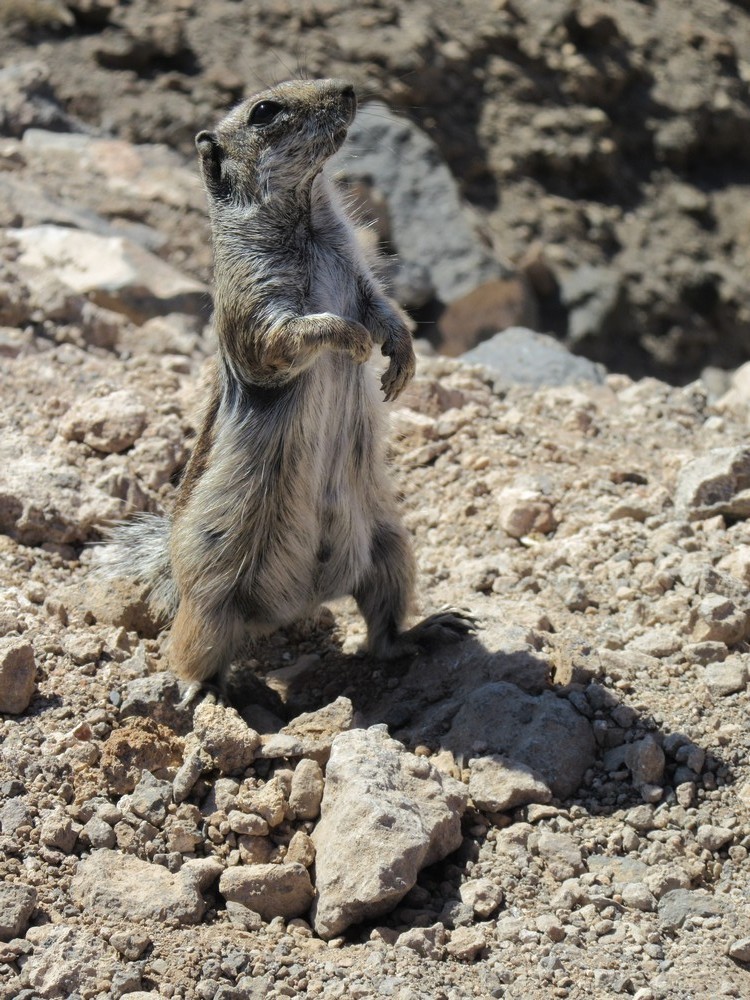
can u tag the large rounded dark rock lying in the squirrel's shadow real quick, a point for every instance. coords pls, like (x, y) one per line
(543, 732)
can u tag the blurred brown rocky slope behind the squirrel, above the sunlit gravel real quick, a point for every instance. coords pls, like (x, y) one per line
(577, 167)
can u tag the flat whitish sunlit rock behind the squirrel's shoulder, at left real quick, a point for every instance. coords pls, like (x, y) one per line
(113, 272)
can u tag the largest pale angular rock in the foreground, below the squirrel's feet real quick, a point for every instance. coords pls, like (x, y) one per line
(385, 815)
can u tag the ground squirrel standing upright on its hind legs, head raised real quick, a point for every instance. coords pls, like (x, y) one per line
(285, 502)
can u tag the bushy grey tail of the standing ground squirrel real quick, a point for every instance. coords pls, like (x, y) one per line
(139, 551)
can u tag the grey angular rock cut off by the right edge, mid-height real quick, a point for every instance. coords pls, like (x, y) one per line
(715, 483)
